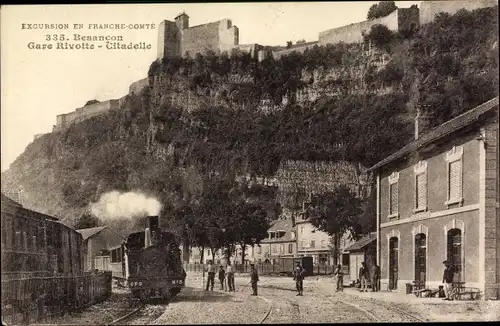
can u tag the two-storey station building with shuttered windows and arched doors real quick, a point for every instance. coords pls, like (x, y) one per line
(438, 199)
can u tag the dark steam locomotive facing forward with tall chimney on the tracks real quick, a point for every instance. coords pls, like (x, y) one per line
(152, 263)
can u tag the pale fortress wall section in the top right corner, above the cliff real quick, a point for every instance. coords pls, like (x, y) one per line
(430, 9)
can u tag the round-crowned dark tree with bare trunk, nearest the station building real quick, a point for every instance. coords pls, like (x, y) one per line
(335, 213)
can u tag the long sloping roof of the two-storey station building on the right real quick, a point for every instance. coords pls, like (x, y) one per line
(441, 131)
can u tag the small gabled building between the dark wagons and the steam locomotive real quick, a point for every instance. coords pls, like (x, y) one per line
(99, 241)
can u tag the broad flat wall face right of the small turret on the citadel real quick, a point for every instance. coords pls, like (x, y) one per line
(200, 38)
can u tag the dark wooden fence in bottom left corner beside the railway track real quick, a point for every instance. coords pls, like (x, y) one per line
(37, 299)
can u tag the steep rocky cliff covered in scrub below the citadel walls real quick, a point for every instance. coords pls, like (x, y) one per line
(230, 115)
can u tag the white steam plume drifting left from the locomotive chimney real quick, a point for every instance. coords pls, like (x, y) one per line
(116, 205)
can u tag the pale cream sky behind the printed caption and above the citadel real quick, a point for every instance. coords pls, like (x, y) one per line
(37, 85)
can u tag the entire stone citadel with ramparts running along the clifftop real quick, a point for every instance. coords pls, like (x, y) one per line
(177, 39)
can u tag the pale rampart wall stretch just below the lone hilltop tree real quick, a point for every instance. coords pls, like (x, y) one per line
(352, 33)
